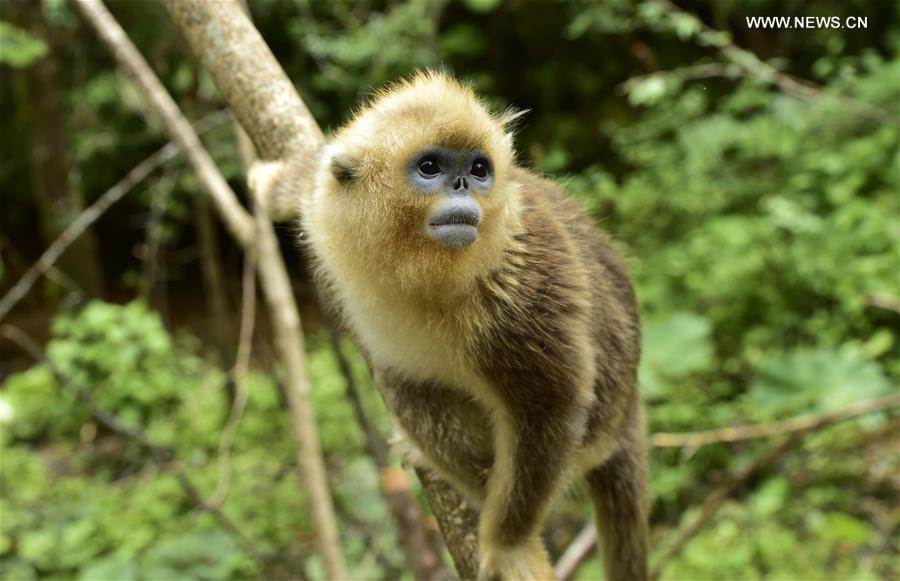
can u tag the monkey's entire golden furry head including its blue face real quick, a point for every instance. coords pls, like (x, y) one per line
(415, 190)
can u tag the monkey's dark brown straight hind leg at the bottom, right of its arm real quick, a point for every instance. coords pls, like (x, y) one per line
(619, 491)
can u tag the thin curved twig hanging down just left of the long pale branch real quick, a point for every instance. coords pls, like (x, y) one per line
(239, 376)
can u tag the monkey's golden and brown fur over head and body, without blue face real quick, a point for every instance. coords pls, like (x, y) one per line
(509, 364)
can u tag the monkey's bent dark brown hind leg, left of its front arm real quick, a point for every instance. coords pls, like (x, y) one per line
(447, 427)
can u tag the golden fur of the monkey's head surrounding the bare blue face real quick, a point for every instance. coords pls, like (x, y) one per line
(364, 219)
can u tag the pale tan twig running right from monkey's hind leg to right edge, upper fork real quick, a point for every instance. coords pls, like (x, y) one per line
(793, 425)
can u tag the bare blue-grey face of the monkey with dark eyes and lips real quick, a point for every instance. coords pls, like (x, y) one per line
(456, 178)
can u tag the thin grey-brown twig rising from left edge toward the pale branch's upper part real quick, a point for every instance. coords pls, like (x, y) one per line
(95, 210)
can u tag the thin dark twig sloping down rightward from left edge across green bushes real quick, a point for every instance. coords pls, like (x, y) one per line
(160, 454)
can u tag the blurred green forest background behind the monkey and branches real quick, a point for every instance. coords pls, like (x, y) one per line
(749, 174)
